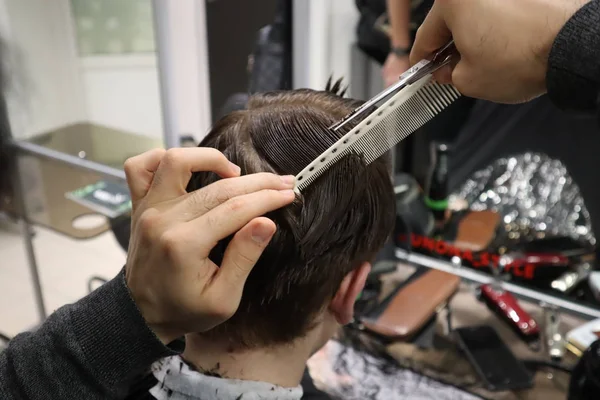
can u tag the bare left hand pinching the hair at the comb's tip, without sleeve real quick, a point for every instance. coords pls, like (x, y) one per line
(176, 287)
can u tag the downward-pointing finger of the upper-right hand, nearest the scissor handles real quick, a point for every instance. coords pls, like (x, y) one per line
(431, 35)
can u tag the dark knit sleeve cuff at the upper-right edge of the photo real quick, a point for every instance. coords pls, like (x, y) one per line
(573, 77)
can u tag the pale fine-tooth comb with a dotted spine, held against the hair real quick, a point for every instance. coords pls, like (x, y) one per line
(392, 122)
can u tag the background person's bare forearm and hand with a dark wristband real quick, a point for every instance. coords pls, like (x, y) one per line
(397, 61)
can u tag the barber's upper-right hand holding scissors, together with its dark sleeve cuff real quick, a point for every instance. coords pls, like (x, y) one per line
(515, 50)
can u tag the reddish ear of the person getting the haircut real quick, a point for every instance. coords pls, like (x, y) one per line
(342, 305)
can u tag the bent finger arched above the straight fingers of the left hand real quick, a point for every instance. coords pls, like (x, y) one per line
(177, 166)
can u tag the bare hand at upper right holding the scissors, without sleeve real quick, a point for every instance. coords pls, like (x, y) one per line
(504, 44)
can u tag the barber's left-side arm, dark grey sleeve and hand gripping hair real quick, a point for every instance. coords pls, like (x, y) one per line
(91, 349)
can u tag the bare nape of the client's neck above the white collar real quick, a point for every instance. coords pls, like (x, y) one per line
(279, 365)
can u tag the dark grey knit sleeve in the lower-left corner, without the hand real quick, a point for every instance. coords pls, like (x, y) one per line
(87, 350)
